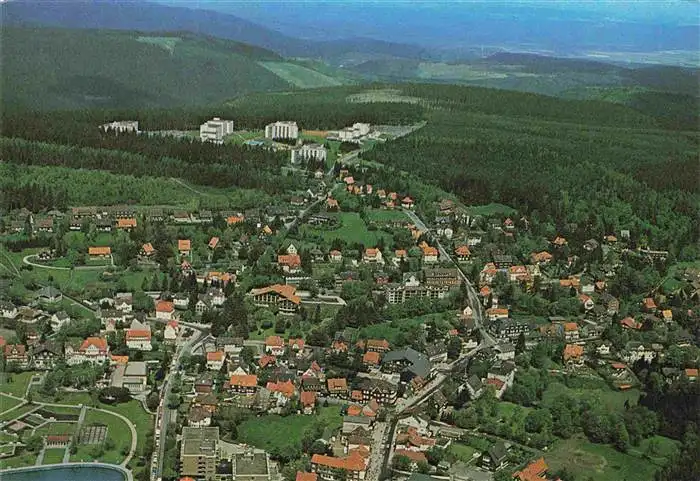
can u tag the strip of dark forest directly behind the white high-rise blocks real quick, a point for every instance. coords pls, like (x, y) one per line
(313, 109)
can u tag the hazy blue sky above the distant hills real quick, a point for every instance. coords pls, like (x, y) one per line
(547, 26)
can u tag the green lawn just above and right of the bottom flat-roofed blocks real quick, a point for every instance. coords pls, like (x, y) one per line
(256, 431)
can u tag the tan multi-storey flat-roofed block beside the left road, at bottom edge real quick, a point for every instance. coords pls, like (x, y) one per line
(199, 452)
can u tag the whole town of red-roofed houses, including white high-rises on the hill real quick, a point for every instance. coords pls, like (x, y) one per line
(347, 331)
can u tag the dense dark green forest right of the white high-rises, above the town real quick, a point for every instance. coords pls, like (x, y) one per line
(532, 155)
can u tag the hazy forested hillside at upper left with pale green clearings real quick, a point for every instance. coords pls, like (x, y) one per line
(60, 68)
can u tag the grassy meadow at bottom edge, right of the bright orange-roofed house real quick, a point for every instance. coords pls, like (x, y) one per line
(598, 462)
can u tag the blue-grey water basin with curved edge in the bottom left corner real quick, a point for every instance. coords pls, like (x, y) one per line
(81, 472)
